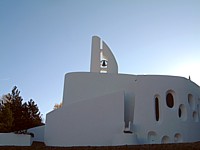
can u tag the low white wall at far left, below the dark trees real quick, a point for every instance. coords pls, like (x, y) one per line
(11, 139)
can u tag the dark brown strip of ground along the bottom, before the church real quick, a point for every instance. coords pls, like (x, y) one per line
(41, 146)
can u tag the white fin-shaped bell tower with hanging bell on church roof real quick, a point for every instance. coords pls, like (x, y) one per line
(102, 59)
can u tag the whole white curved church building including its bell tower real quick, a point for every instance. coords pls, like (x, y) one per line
(105, 108)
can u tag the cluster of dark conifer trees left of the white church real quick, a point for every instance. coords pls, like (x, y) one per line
(16, 115)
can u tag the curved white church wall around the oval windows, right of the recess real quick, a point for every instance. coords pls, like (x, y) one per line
(170, 124)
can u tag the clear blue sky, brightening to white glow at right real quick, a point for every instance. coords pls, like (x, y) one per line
(41, 40)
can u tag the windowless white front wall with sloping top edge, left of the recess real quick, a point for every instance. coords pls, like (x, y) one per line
(90, 122)
